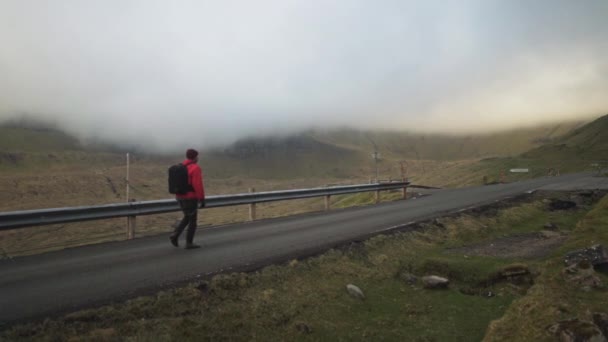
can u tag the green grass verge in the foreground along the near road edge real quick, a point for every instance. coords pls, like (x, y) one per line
(306, 299)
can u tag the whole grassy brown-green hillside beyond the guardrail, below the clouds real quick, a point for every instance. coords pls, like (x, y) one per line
(43, 167)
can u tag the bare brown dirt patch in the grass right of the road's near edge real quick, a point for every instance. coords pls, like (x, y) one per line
(528, 246)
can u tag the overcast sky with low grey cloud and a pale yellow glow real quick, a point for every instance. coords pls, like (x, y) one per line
(162, 73)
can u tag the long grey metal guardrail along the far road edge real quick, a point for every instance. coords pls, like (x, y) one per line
(26, 218)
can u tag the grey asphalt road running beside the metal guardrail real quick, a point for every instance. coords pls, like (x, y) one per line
(58, 282)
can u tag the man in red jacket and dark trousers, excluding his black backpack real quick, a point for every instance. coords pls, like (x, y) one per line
(190, 201)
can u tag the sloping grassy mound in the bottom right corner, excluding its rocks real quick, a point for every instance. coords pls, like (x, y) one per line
(552, 298)
